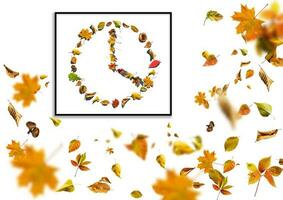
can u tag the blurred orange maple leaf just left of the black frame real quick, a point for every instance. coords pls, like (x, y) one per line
(26, 90)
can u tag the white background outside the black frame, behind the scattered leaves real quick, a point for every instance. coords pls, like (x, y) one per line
(27, 46)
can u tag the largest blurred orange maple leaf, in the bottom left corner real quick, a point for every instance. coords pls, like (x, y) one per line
(35, 171)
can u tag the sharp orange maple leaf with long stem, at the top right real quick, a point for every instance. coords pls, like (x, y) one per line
(249, 25)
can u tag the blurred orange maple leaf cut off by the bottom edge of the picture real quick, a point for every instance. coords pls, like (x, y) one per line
(175, 187)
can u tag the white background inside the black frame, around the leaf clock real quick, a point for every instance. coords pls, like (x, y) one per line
(93, 63)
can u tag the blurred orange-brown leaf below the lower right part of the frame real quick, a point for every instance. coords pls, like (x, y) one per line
(139, 146)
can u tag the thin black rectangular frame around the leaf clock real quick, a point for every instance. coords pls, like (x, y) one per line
(105, 114)
